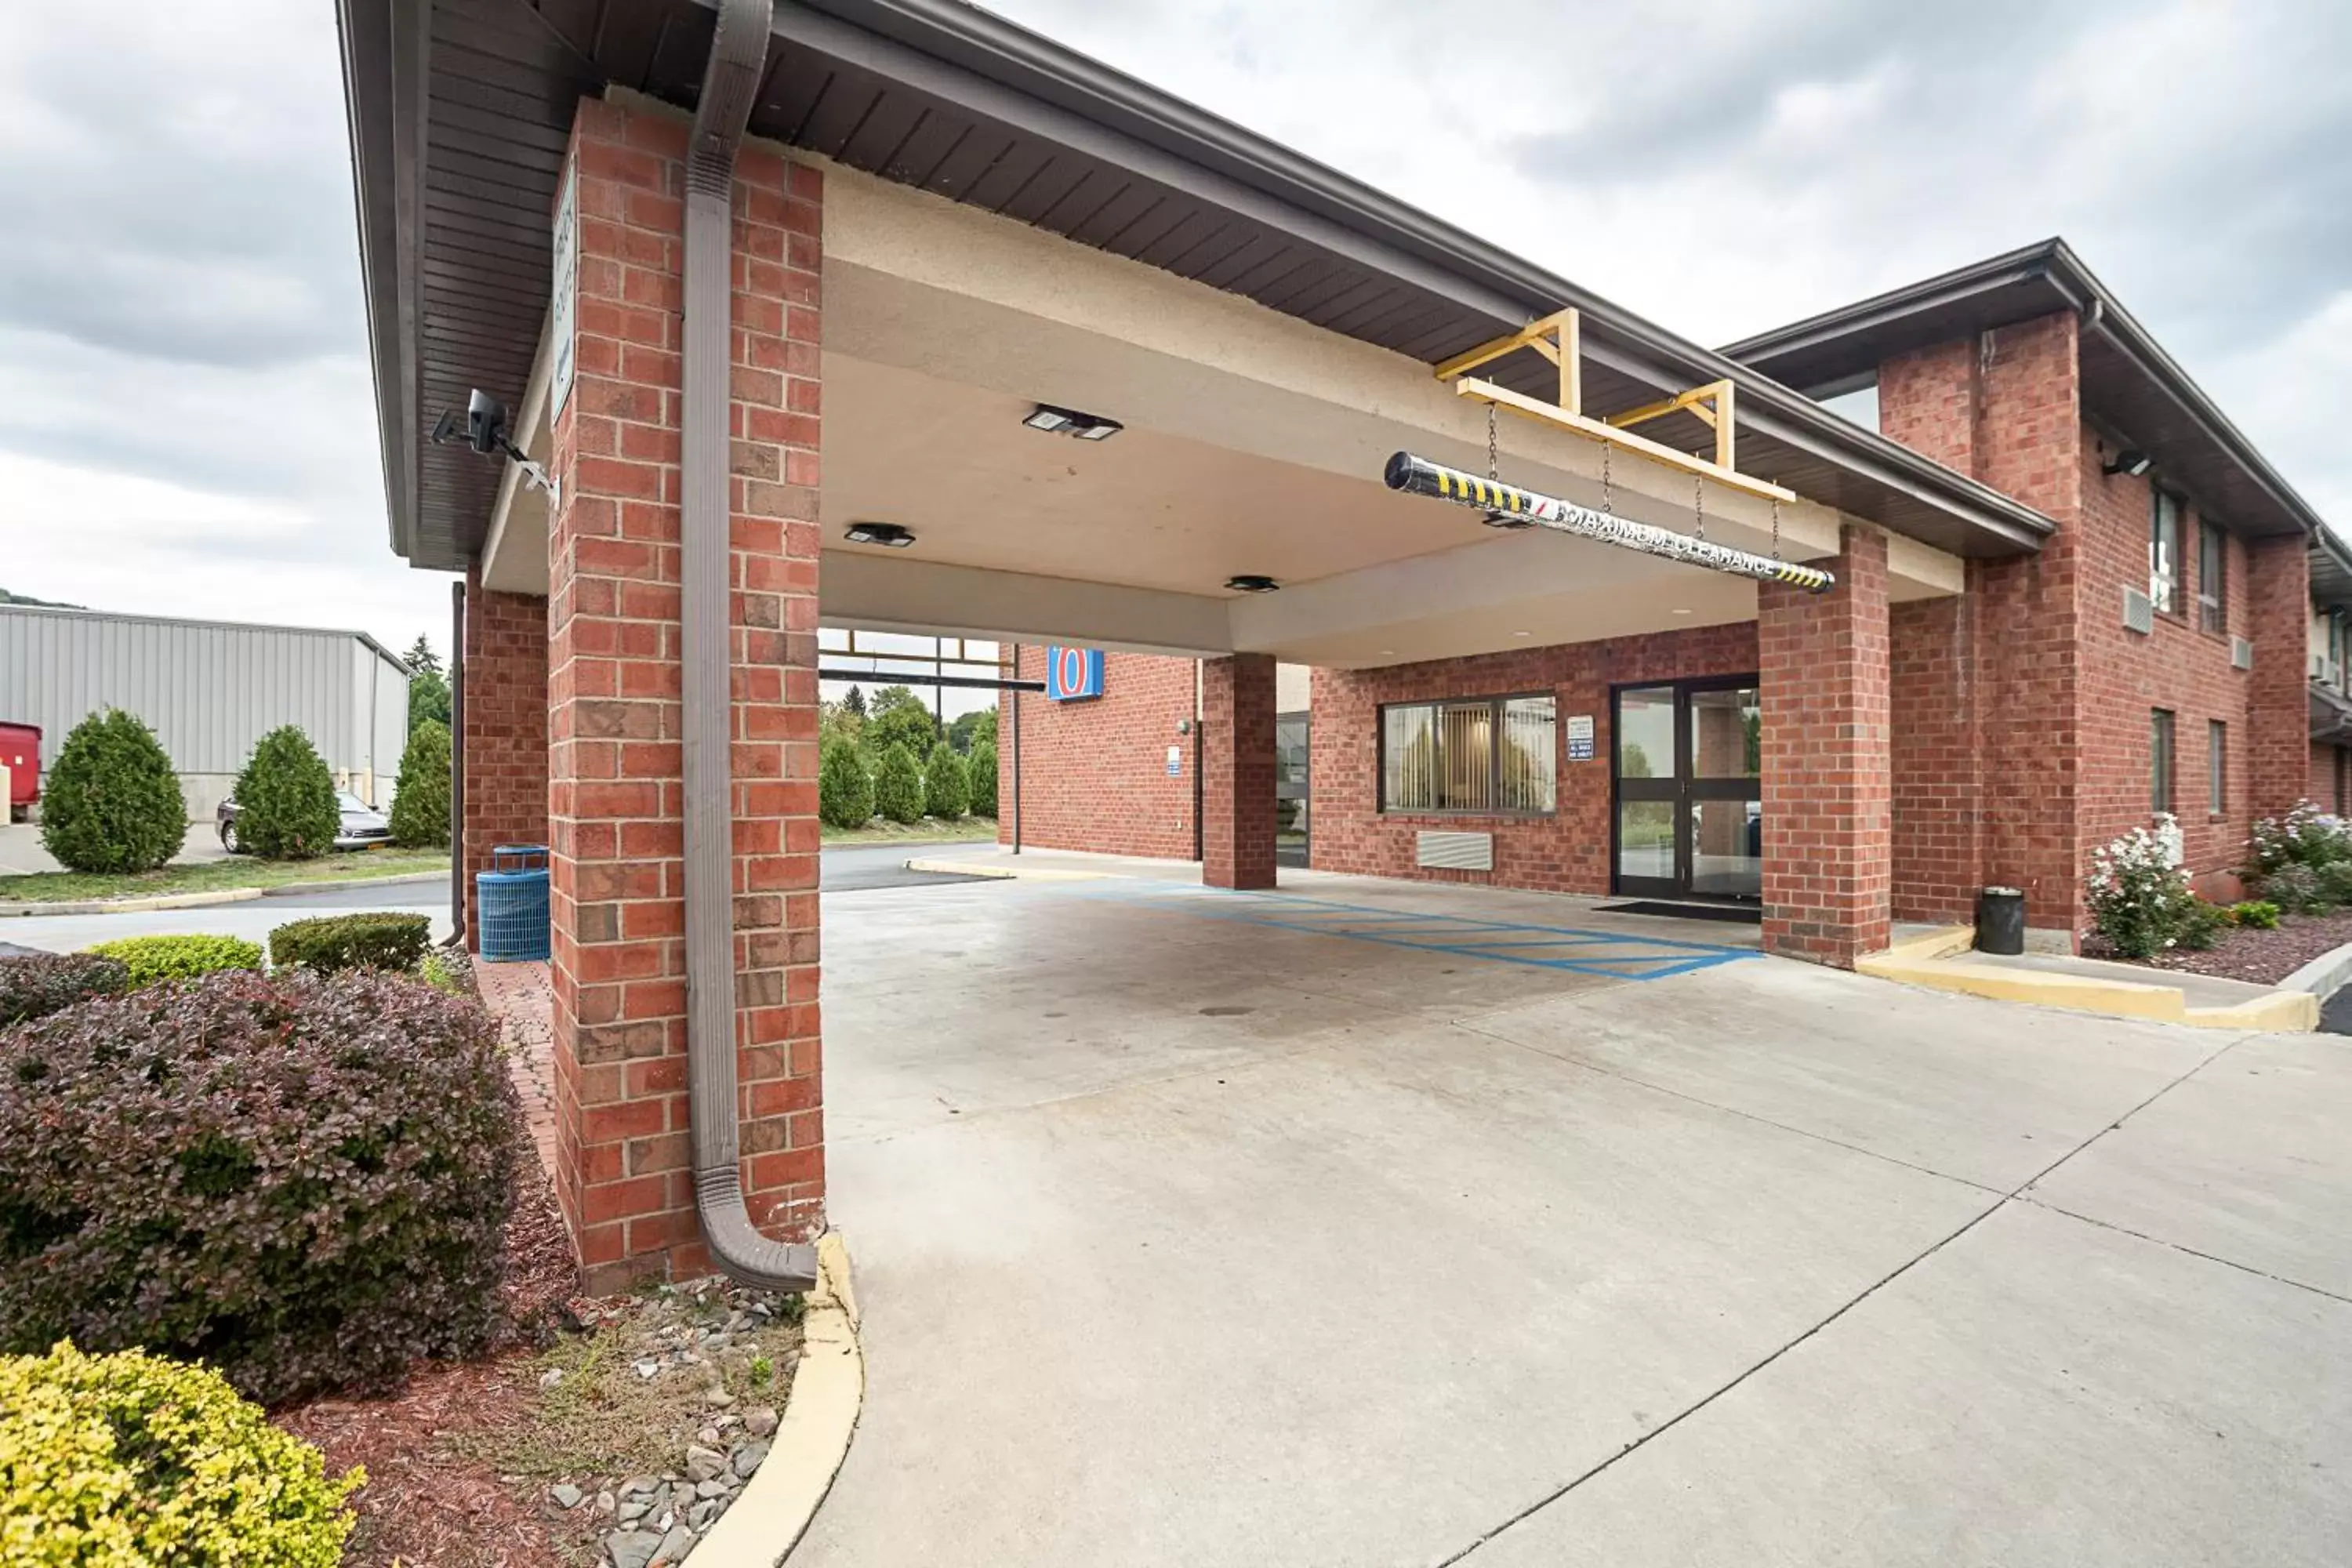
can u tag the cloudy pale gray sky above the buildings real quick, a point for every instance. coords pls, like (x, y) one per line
(185, 408)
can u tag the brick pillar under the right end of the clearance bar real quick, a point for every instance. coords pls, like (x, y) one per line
(1829, 831)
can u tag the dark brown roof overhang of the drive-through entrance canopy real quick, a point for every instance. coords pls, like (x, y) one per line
(460, 114)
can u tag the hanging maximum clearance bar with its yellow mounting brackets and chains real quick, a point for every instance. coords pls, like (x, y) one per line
(1561, 340)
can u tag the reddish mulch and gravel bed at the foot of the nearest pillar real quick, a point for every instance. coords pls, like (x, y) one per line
(592, 1433)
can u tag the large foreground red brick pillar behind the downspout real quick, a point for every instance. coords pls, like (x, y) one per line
(624, 1153)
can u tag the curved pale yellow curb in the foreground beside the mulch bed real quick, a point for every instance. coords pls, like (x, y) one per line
(813, 1435)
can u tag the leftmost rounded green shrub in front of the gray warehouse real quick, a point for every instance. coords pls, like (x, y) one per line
(112, 800)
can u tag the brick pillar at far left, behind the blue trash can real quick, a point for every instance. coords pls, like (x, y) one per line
(505, 666)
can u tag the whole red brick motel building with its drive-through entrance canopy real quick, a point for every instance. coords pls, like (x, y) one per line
(897, 316)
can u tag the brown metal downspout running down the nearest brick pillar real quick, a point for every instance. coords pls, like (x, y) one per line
(730, 83)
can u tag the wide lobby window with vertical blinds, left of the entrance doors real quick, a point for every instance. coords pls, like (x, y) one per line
(1478, 756)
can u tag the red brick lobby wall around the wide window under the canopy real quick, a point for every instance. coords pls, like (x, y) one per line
(1561, 852)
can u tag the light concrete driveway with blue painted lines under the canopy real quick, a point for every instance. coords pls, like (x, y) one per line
(1351, 1228)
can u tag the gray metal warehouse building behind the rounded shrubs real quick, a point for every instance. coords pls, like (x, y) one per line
(211, 690)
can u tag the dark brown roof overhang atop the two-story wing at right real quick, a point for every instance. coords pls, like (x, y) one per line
(2130, 384)
